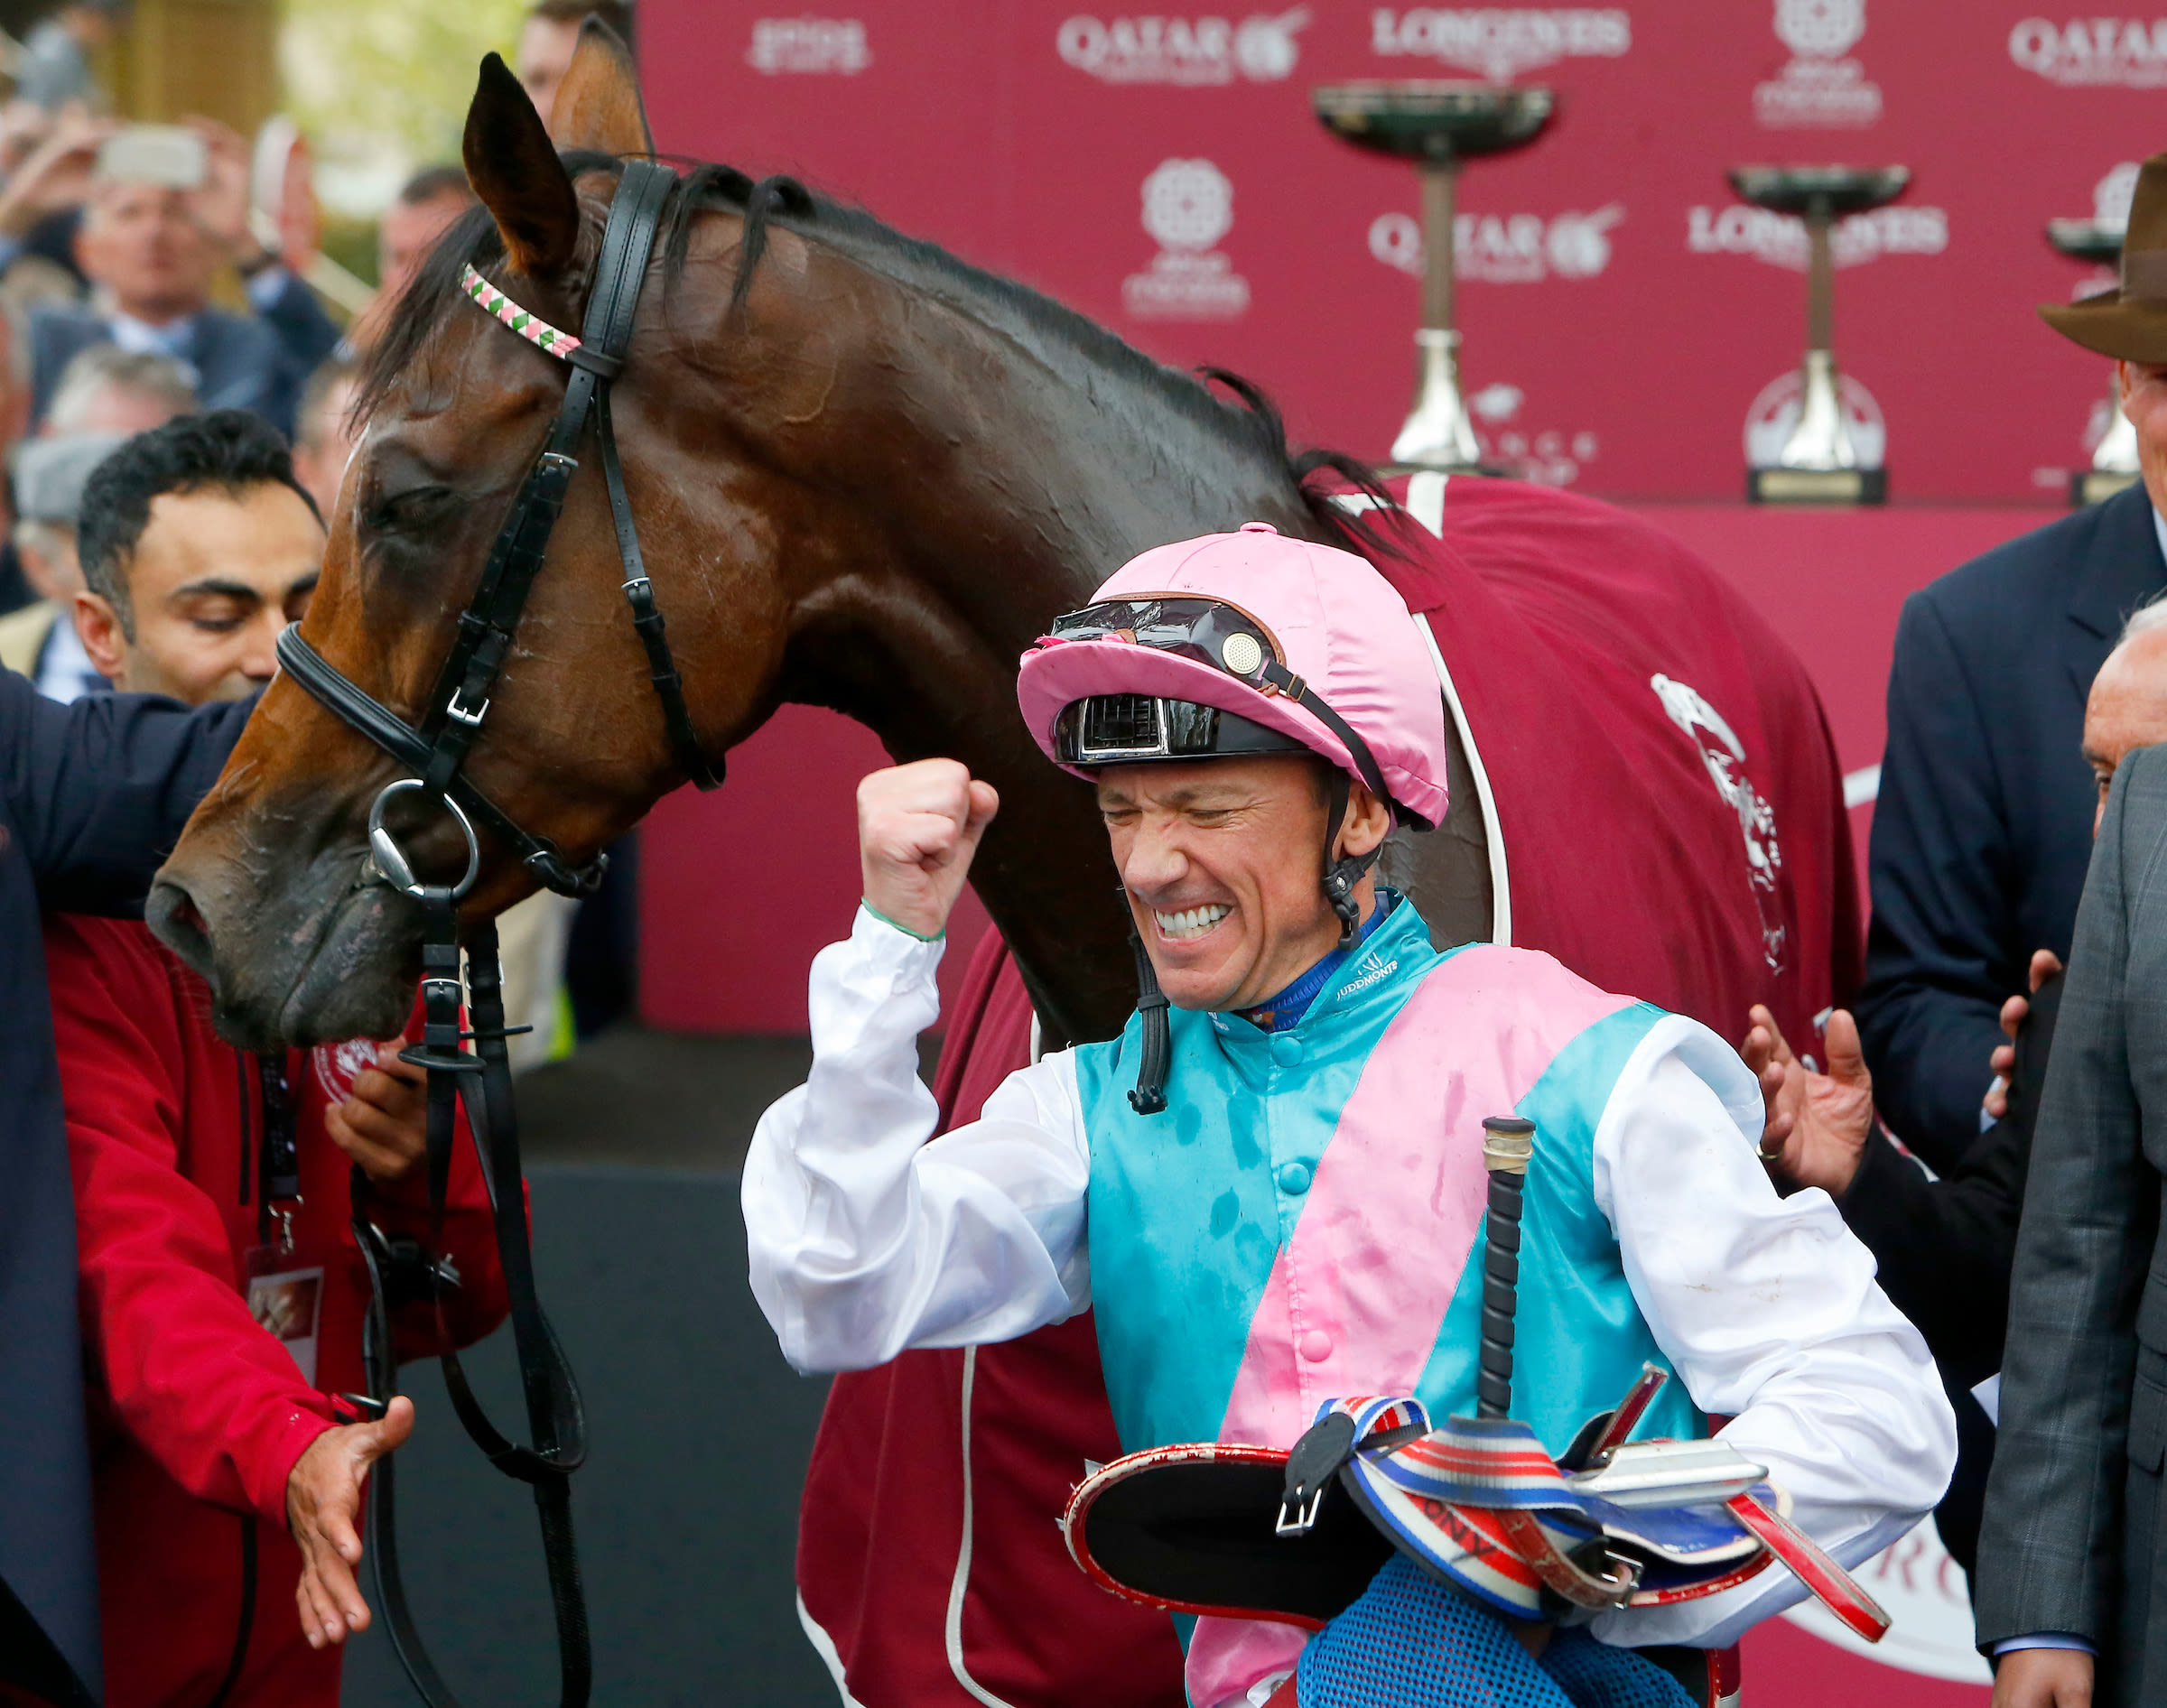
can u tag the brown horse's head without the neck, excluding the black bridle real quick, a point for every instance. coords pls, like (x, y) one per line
(270, 892)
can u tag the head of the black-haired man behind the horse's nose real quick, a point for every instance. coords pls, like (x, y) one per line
(198, 547)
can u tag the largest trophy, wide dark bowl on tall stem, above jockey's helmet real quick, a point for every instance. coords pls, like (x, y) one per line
(1438, 127)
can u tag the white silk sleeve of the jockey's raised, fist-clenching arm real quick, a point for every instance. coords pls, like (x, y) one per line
(866, 1239)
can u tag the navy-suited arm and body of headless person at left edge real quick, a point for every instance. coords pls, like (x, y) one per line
(92, 797)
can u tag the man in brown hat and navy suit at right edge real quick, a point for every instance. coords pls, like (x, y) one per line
(1980, 833)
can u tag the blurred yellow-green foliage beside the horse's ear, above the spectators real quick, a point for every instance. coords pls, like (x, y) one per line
(389, 81)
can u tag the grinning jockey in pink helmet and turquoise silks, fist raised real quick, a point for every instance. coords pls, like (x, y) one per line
(1271, 1185)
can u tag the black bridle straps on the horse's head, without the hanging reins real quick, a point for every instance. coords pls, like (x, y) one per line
(437, 751)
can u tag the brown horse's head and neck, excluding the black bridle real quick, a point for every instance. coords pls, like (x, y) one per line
(864, 476)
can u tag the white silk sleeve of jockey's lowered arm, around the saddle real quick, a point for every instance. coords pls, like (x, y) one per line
(1772, 1315)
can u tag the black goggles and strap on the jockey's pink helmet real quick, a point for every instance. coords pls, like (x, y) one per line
(1108, 729)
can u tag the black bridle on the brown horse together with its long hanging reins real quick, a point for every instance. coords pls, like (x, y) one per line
(482, 1081)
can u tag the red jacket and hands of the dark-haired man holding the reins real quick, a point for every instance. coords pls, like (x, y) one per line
(222, 1317)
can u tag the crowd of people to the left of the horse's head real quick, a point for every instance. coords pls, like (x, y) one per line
(177, 411)
